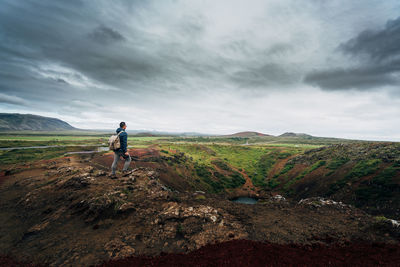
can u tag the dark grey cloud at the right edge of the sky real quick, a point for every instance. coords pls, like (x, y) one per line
(379, 54)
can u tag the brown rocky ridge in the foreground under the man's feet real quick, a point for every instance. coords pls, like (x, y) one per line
(72, 213)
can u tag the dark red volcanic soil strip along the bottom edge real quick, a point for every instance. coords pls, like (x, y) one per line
(251, 253)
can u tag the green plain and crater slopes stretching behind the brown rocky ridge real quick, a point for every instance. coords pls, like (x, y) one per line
(357, 172)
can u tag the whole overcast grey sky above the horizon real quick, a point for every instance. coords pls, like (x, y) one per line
(326, 68)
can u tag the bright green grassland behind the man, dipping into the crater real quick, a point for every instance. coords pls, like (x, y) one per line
(256, 159)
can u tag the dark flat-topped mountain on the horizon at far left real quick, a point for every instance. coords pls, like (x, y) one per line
(29, 122)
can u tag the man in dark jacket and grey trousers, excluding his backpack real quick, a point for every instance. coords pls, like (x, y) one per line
(122, 151)
